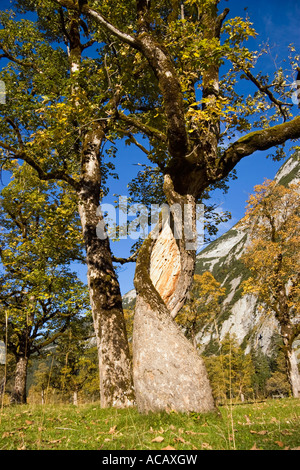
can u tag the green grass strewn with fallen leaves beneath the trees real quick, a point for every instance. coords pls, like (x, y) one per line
(269, 425)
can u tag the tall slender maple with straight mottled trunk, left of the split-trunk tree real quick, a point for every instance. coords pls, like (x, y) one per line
(56, 121)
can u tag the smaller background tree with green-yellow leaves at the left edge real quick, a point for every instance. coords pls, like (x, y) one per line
(39, 293)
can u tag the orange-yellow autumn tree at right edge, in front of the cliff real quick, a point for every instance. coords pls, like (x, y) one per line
(273, 260)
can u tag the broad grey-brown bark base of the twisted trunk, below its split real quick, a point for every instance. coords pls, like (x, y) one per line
(168, 372)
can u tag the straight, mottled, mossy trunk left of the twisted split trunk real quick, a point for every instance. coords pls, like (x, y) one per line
(116, 385)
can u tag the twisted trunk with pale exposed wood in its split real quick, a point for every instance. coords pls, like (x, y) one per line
(168, 372)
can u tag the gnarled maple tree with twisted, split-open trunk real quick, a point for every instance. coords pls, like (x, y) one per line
(179, 46)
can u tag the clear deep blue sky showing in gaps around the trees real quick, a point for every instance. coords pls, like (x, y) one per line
(277, 23)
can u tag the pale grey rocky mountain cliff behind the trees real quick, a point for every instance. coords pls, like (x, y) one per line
(240, 315)
